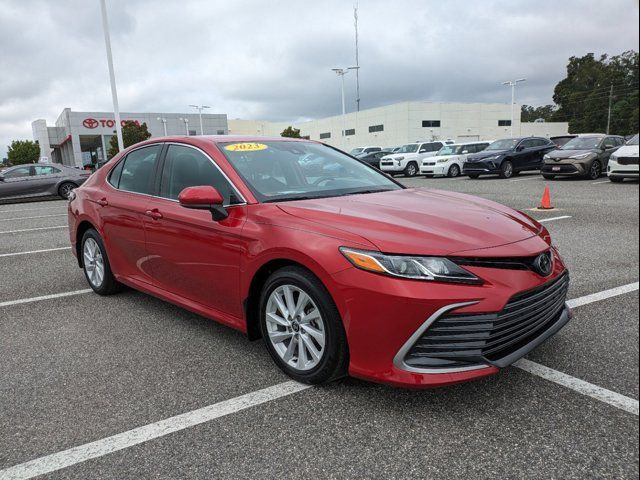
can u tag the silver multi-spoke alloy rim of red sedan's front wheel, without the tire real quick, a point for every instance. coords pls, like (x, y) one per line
(295, 327)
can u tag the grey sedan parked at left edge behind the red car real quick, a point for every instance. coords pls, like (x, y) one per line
(39, 180)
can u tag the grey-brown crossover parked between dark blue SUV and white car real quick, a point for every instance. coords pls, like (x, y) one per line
(584, 156)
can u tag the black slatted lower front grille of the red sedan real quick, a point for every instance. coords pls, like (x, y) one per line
(466, 340)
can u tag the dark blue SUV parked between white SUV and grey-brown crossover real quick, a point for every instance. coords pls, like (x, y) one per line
(508, 157)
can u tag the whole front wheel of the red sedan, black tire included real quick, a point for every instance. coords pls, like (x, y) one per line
(284, 334)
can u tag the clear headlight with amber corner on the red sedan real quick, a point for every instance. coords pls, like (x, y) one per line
(416, 268)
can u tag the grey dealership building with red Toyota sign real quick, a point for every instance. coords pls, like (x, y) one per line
(82, 138)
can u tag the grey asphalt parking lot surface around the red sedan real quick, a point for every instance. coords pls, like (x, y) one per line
(82, 368)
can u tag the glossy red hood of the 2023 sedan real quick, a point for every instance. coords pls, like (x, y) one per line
(419, 221)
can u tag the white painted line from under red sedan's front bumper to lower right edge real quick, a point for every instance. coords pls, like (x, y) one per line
(585, 388)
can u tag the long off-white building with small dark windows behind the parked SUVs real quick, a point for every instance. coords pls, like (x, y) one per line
(408, 122)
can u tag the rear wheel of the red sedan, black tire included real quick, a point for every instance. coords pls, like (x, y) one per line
(93, 252)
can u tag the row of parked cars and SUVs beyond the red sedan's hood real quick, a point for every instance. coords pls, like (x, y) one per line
(584, 155)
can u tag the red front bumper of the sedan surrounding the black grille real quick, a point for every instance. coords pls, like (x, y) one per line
(384, 317)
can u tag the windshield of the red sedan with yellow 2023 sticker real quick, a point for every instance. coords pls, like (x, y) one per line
(286, 170)
